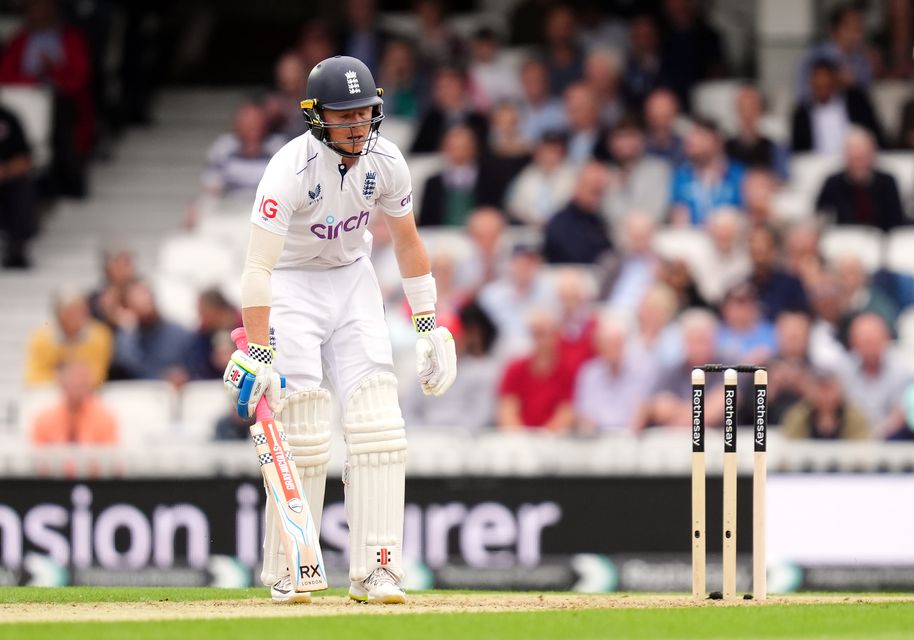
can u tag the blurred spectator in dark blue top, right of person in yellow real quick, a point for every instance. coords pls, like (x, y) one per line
(149, 347)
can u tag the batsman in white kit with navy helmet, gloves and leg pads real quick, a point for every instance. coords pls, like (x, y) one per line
(312, 307)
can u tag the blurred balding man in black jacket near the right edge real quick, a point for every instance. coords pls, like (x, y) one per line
(861, 193)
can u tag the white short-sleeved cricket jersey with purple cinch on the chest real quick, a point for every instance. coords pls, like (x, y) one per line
(307, 195)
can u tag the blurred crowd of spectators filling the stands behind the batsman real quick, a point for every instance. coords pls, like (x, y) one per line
(567, 143)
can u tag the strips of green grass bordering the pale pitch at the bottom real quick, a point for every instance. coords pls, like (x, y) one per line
(878, 621)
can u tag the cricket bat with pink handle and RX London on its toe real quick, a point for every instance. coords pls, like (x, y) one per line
(299, 538)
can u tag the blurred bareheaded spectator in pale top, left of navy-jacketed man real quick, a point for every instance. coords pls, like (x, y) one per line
(488, 256)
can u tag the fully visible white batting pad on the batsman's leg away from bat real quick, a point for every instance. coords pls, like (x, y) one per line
(375, 476)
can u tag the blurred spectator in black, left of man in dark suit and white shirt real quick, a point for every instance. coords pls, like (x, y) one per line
(750, 146)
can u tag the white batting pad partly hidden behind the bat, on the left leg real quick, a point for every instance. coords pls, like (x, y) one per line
(306, 420)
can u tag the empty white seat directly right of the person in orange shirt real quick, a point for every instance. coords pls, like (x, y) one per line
(145, 411)
